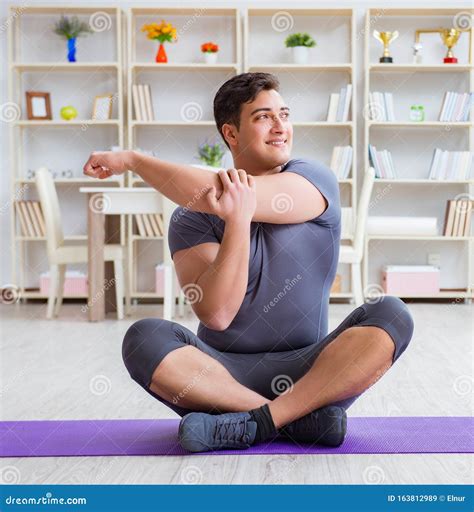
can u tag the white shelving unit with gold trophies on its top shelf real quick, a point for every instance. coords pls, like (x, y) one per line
(412, 143)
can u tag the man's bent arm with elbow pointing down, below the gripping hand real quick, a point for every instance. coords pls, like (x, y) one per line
(221, 279)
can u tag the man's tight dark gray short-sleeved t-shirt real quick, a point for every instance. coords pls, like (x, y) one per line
(291, 271)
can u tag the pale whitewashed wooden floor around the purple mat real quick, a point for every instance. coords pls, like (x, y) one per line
(72, 369)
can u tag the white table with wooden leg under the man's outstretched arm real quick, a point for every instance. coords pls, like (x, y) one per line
(105, 201)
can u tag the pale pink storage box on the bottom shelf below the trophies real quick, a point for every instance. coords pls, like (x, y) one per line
(410, 279)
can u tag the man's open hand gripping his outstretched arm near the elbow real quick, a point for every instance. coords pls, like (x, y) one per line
(239, 198)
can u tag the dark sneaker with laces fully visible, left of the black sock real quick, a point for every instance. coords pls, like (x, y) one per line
(201, 432)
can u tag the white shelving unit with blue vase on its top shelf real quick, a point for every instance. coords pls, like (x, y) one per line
(44, 67)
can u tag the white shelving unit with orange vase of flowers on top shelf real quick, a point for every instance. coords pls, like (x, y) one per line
(183, 119)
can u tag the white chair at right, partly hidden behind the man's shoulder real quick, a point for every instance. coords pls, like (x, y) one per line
(354, 253)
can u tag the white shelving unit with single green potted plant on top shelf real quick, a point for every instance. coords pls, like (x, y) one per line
(265, 31)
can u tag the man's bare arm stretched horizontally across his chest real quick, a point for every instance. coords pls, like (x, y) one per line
(282, 198)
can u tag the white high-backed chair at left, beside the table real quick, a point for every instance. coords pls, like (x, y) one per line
(60, 255)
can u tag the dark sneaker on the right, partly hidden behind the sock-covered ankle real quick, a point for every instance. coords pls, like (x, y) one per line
(326, 426)
